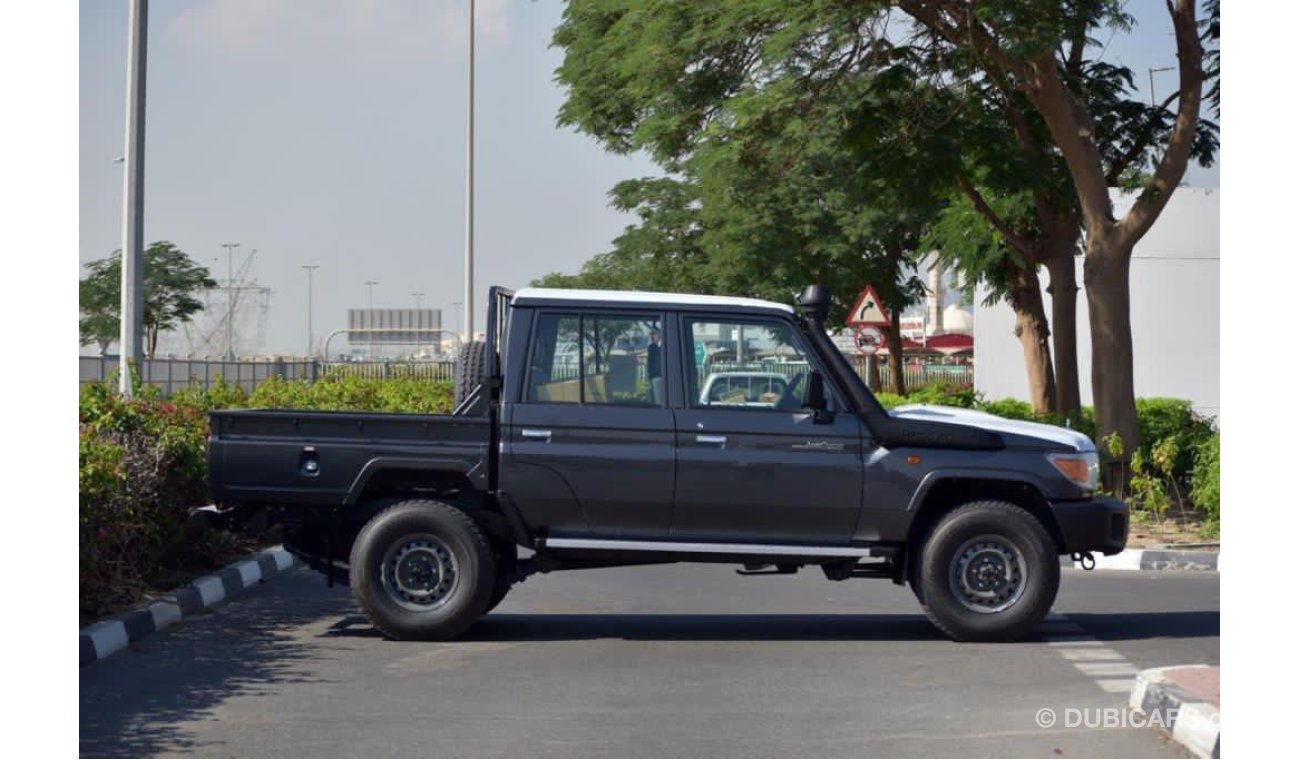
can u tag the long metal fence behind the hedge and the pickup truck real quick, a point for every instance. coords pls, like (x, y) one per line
(174, 375)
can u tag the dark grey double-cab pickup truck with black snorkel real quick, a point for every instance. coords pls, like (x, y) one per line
(597, 429)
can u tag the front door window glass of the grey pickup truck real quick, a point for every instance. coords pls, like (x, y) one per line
(747, 364)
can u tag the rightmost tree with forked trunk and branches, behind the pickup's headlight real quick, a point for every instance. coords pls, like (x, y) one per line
(1034, 50)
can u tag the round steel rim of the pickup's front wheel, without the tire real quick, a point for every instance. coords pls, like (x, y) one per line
(989, 575)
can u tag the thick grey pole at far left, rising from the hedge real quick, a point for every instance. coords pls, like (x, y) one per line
(132, 323)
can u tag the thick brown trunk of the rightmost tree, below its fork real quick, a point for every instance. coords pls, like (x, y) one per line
(1106, 276)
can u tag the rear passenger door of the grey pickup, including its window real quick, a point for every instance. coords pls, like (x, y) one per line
(590, 444)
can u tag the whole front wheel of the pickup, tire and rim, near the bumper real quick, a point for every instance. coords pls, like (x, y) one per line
(989, 574)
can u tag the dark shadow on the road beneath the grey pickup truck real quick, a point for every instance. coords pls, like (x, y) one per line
(509, 627)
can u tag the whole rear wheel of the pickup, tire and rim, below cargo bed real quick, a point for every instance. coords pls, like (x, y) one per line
(423, 570)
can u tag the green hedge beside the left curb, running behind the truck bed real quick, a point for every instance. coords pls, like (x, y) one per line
(142, 464)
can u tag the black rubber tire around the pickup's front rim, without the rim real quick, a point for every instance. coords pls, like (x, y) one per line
(935, 571)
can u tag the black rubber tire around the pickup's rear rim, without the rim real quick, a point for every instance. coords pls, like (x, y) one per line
(475, 570)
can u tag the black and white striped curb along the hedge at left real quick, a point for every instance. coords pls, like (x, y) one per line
(111, 636)
